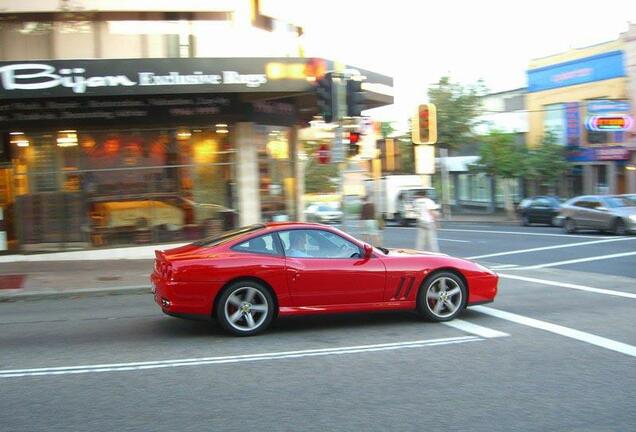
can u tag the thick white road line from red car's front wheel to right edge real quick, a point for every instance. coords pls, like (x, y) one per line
(592, 339)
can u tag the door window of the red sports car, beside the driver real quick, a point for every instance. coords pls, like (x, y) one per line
(317, 244)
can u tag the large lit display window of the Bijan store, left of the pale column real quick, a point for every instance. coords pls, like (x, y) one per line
(110, 187)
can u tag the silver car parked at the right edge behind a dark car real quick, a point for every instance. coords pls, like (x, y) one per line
(599, 212)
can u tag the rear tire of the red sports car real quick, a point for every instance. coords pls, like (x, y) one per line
(241, 326)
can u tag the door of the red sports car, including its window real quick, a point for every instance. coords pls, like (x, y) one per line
(324, 268)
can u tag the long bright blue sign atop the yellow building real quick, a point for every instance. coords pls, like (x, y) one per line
(590, 69)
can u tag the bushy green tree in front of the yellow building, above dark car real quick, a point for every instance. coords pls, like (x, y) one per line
(547, 163)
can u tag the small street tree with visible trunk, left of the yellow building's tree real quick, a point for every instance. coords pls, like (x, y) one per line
(502, 157)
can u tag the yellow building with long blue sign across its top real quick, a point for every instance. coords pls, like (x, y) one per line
(565, 92)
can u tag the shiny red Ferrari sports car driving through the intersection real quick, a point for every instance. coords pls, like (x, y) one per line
(247, 277)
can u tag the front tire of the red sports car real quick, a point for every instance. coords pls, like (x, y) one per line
(432, 286)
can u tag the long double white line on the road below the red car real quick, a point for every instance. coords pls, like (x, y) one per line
(119, 367)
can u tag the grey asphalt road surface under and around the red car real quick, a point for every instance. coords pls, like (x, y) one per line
(555, 352)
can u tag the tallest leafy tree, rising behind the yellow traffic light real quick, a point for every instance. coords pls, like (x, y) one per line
(458, 107)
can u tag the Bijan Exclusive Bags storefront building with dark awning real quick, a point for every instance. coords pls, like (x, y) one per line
(100, 152)
